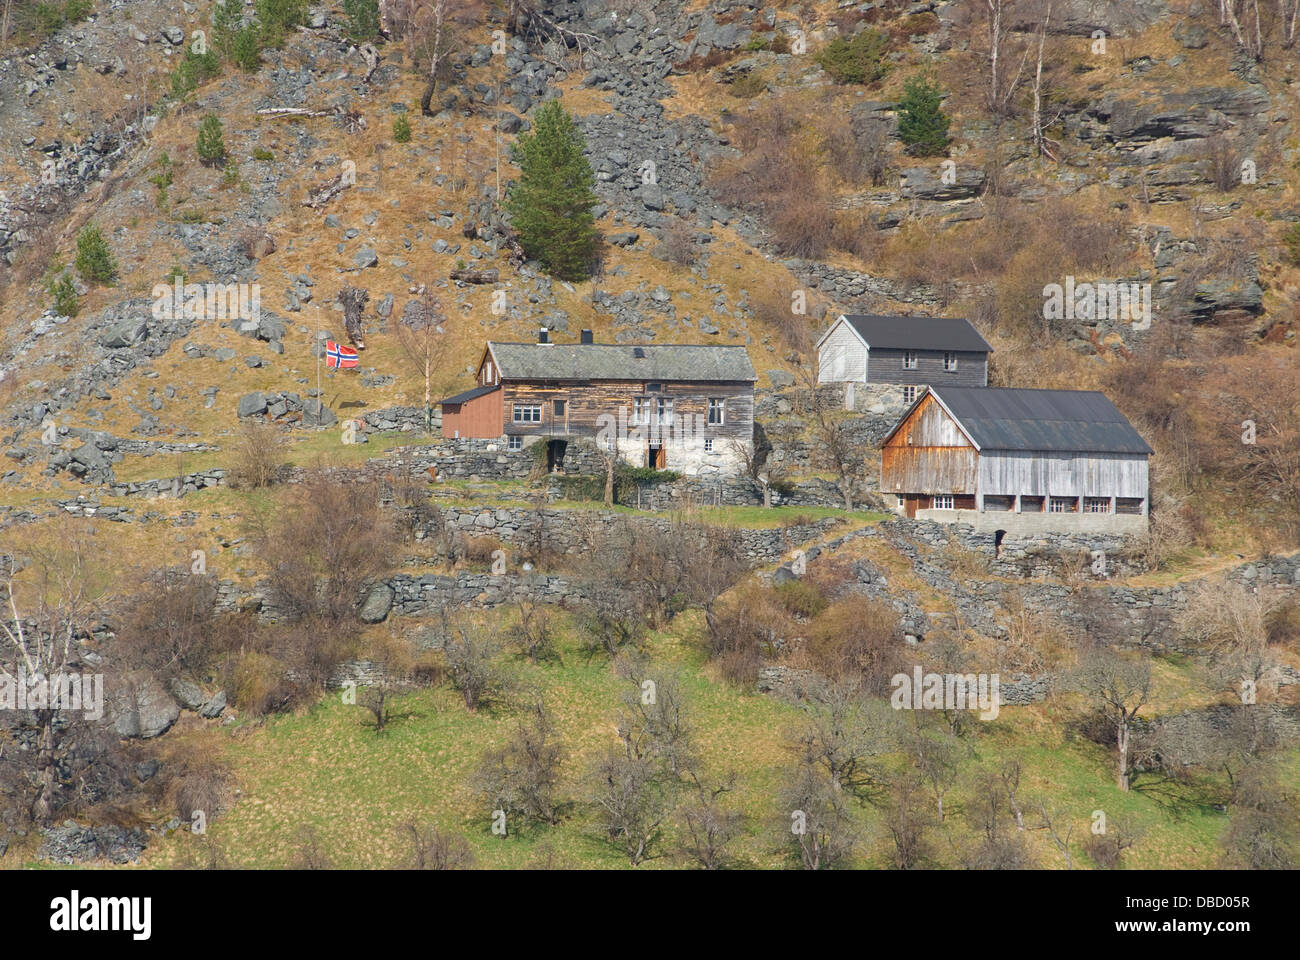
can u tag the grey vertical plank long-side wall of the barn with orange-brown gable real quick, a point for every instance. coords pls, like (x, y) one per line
(1063, 475)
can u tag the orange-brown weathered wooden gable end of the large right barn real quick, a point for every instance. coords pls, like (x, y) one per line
(939, 459)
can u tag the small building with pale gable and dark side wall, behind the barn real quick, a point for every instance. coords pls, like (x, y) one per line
(887, 361)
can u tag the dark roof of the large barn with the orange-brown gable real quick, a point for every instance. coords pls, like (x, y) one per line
(1043, 421)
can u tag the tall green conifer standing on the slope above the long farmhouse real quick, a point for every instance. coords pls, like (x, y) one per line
(552, 202)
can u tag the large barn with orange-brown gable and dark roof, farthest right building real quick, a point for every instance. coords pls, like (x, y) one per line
(1017, 461)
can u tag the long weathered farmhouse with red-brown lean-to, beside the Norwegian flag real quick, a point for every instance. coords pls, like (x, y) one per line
(682, 408)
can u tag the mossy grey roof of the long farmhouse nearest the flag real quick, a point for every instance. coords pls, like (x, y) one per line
(705, 362)
